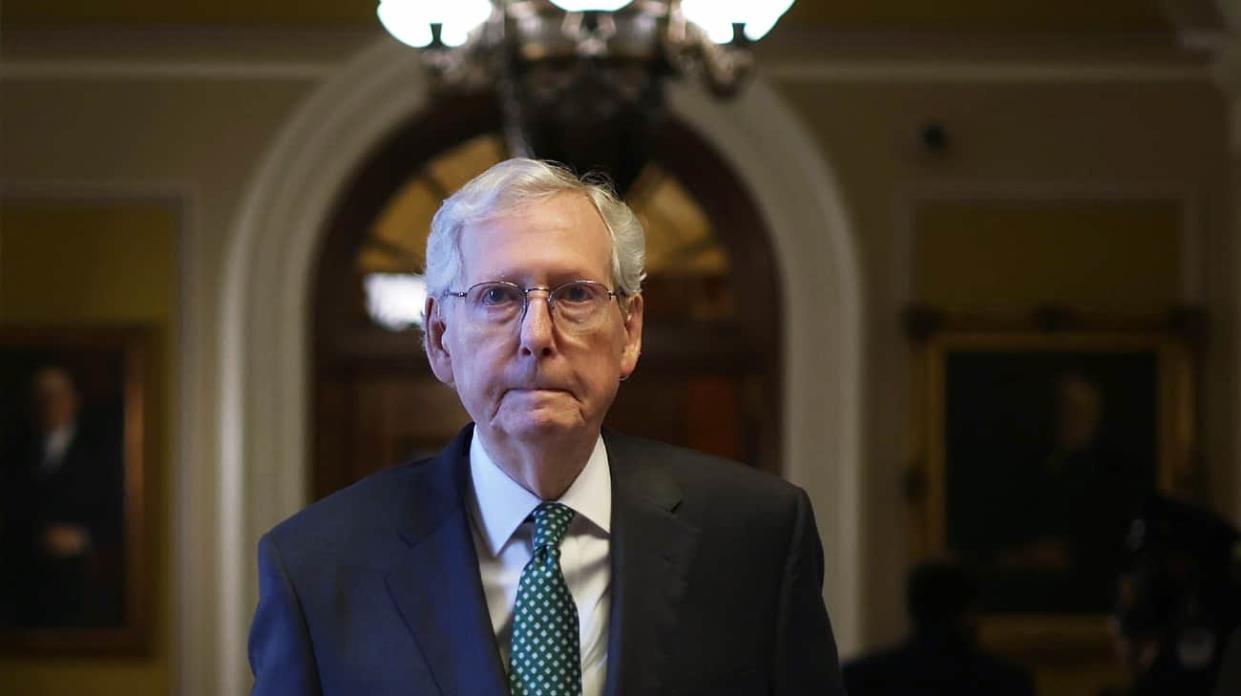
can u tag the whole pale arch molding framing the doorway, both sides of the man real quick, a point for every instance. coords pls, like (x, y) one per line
(264, 328)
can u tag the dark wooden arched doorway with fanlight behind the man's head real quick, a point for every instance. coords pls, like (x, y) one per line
(710, 374)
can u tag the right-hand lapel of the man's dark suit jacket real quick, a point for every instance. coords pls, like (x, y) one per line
(652, 549)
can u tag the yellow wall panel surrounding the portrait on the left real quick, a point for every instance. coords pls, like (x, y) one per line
(73, 264)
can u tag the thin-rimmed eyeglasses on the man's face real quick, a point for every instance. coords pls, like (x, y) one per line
(578, 306)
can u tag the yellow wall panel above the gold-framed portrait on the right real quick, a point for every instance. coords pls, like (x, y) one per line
(1015, 256)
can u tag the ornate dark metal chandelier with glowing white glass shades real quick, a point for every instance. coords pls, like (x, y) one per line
(581, 81)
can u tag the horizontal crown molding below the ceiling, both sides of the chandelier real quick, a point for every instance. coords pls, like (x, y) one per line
(790, 55)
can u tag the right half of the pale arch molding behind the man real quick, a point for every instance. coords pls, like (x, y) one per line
(804, 208)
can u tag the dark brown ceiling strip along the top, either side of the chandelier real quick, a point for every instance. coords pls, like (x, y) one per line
(1058, 17)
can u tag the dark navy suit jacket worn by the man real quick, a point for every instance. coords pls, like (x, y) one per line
(717, 575)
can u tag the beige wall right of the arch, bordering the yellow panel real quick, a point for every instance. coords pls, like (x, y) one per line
(1011, 141)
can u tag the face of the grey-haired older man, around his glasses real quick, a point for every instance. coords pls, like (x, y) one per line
(531, 380)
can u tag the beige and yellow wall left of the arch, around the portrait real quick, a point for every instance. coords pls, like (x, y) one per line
(81, 162)
